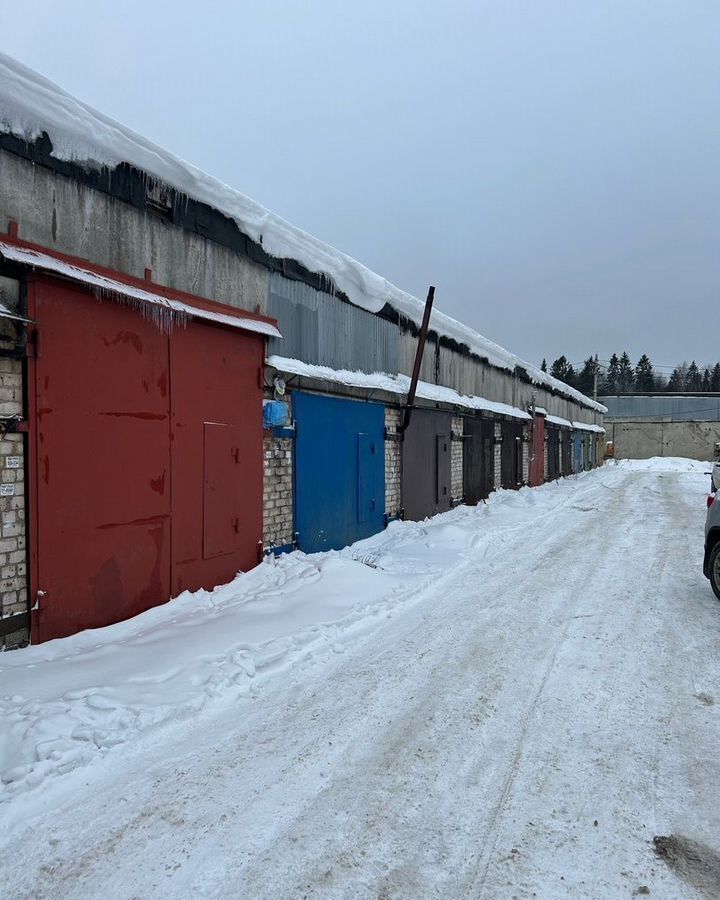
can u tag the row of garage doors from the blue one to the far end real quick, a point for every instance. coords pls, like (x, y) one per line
(340, 466)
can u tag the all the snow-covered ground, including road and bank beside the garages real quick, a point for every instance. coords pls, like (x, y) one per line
(507, 701)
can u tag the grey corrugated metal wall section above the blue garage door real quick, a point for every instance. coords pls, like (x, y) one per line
(342, 337)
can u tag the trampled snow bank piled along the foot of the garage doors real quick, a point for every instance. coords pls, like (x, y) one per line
(68, 702)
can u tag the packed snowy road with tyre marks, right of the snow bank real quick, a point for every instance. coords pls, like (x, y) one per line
(523, 729)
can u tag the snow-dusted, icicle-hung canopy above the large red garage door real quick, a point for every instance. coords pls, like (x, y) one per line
(144, 297)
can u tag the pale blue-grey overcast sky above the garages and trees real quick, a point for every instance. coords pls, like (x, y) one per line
(553, 166)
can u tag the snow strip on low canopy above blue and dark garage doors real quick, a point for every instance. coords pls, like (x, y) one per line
(394, 384)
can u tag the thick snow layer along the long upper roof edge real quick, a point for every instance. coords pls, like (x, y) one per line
(31, 105)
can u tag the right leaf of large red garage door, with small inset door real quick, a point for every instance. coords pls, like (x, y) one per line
(217, 454)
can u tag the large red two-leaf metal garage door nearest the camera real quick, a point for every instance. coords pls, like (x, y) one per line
(129, 457)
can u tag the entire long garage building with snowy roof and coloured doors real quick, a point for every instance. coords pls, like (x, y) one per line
(137, 328)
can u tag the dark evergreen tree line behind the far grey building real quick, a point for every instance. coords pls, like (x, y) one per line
(619, 376)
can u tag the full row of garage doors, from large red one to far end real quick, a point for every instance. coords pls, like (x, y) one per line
(145, 443)
